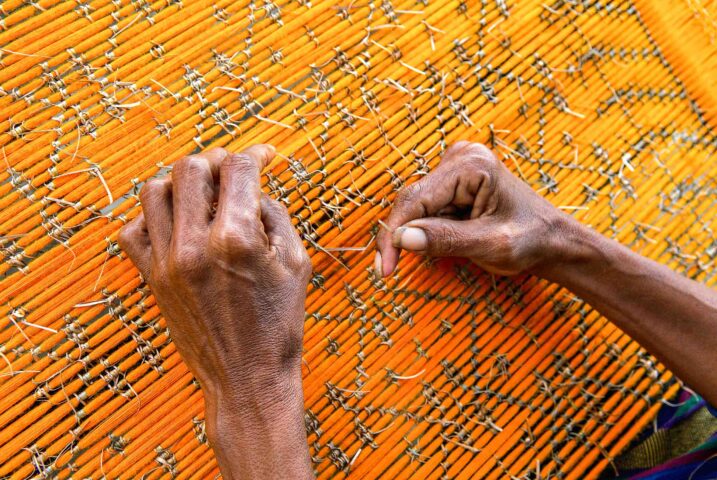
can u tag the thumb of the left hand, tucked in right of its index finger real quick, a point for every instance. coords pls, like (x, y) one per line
(282, 235)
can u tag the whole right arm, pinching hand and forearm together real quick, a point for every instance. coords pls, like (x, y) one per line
(506, 228)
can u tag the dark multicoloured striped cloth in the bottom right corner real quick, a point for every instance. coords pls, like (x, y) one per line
(681, 445)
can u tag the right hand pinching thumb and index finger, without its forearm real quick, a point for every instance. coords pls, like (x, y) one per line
(472, 206)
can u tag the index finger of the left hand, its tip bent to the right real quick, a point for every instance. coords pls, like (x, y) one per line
(239, 188)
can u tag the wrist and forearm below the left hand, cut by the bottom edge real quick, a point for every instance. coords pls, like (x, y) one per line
(259, 433)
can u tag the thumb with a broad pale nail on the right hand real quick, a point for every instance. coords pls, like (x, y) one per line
(441, 237)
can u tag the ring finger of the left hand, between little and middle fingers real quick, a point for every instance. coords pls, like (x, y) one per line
(156, 198)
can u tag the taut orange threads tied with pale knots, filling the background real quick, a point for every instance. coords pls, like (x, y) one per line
(441, 371)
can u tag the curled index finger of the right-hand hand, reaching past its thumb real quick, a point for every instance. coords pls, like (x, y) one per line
(423, 198)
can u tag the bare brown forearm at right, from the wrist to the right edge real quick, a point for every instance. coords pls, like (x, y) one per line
(673, 317)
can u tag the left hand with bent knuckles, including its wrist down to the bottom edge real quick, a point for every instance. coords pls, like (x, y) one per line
(231, 285)
